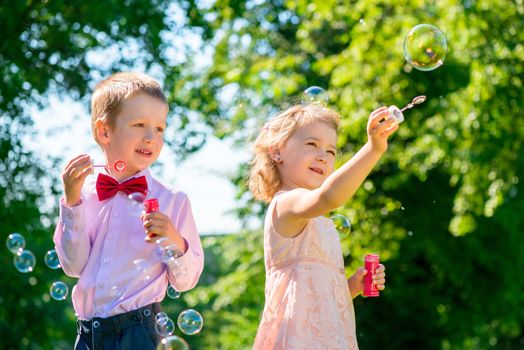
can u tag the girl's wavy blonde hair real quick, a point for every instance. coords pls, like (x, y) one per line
(264, 180)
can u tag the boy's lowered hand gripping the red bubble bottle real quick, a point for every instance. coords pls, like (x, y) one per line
(159, 225)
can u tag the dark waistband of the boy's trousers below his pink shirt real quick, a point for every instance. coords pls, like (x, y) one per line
(116, 323)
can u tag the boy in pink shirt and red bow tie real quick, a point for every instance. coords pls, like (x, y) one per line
(121, 275)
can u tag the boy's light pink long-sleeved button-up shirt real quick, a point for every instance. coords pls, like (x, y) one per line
(102, 243)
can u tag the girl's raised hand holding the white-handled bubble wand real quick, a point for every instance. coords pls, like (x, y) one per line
(379, 129)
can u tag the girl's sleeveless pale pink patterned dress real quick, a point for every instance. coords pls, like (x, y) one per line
(308, 304)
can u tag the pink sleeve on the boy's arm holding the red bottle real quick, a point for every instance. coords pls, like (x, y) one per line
(185, 274)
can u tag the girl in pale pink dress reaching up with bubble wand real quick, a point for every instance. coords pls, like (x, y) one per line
(308, 299)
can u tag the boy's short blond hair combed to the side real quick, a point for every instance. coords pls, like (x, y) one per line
(110, 93)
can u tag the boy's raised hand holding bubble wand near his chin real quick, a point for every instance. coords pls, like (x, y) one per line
(73, 178)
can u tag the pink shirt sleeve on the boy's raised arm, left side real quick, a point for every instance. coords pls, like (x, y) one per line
(72, 243)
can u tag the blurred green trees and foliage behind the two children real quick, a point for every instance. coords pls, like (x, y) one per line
(444, 208)
